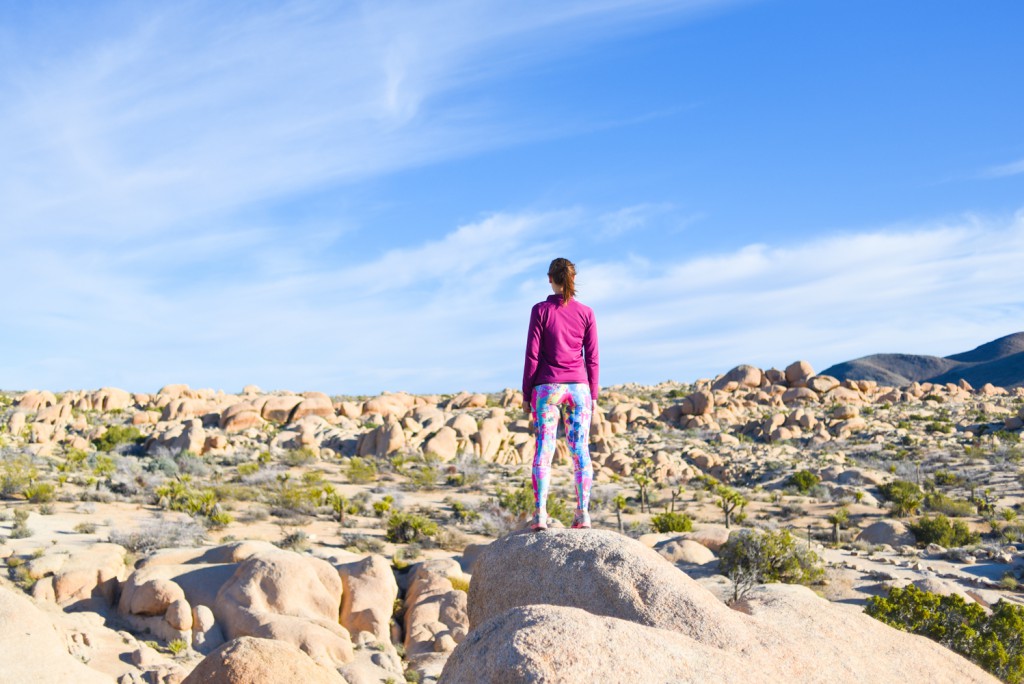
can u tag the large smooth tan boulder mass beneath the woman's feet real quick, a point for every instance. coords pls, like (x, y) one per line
(593, 606)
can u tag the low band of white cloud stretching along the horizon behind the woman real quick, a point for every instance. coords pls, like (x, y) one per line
(451, 313)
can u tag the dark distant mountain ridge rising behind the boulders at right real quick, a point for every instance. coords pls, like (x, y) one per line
(1000, 362)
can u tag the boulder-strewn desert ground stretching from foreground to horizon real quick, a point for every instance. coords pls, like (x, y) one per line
(197, 536)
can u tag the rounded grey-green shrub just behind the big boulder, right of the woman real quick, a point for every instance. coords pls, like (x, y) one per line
(752, 558)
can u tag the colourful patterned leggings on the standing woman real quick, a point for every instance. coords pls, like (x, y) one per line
(547, 399)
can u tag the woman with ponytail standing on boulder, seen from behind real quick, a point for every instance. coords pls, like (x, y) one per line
(562, 369)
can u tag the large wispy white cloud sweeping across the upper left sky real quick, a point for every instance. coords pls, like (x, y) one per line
(192, 114)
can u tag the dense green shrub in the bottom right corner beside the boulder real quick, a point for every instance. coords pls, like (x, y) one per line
(993, 642)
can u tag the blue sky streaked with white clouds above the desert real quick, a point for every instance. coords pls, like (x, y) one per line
(358, 197)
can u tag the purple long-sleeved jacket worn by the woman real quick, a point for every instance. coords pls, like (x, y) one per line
(562, 347)
